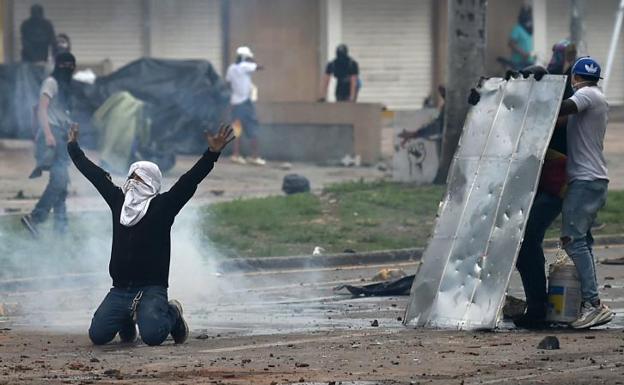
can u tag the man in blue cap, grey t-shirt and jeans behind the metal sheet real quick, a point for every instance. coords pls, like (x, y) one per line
(586, 170)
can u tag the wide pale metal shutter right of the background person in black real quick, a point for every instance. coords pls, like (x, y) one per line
(391, 41)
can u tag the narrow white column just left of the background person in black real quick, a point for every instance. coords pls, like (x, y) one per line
(331, 30)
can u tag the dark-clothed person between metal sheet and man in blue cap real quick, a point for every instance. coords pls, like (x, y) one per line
(548, 200)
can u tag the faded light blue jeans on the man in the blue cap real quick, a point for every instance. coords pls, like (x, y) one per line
(580, 207)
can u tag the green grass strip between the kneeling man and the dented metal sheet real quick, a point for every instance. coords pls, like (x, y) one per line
(358, 216)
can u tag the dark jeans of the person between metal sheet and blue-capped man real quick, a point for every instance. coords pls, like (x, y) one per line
(546, 207)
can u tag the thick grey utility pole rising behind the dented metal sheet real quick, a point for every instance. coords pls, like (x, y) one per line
(465, 65)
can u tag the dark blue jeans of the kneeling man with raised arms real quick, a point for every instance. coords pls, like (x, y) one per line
(154, 316)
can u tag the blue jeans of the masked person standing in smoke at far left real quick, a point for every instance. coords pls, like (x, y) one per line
(55, 193)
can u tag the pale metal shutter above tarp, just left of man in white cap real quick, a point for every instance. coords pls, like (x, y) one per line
(187, 29)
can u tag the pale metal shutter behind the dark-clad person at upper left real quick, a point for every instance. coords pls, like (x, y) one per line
(98, 29)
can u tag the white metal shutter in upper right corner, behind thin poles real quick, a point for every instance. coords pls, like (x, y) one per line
(600, 18)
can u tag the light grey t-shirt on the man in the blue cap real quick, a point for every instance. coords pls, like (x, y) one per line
(586, 132)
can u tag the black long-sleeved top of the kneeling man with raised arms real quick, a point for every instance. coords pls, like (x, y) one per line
(141, 253)
